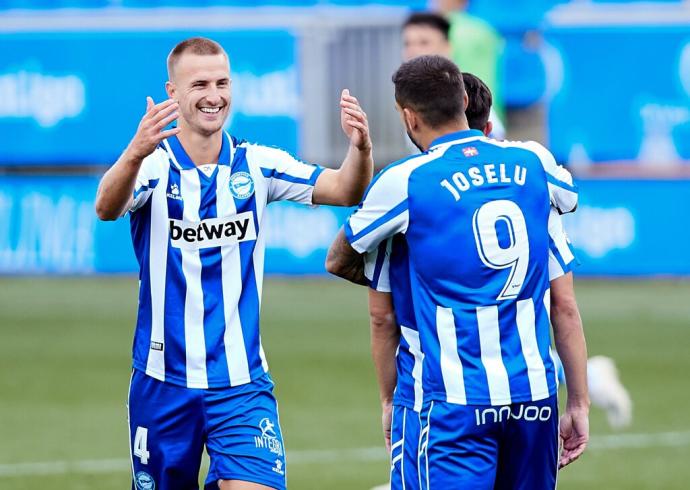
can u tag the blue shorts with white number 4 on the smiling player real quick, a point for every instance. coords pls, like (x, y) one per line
(169, 426)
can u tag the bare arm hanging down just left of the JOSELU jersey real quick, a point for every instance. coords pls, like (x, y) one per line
(385, 338)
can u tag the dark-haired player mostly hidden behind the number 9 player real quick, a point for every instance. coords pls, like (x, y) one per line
(395, 338)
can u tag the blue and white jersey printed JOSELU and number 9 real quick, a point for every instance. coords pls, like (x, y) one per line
(474, 213)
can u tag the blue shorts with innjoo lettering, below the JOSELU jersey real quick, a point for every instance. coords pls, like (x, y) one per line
(483, 447)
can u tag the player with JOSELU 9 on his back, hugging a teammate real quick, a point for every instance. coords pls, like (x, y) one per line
(474, 216)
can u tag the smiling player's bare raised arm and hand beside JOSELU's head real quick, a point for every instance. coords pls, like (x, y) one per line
(345, 186)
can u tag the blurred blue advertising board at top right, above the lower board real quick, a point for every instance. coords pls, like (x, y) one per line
(618, 93)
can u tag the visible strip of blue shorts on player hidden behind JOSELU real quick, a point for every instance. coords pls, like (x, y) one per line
(404, 448)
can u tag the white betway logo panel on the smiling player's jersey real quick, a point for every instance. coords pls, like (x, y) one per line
(213, 232)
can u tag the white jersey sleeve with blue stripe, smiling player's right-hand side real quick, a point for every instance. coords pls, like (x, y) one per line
(287, 177)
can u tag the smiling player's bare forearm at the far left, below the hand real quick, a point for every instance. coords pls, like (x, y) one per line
(117, 186)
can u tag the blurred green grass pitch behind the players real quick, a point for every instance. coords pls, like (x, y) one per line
(64, 371)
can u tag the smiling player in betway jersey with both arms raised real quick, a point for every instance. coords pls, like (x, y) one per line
(197, 201)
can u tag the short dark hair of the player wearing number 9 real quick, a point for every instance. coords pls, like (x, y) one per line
(432, 87)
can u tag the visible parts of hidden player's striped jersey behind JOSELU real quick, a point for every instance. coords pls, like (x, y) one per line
(387, 269)
